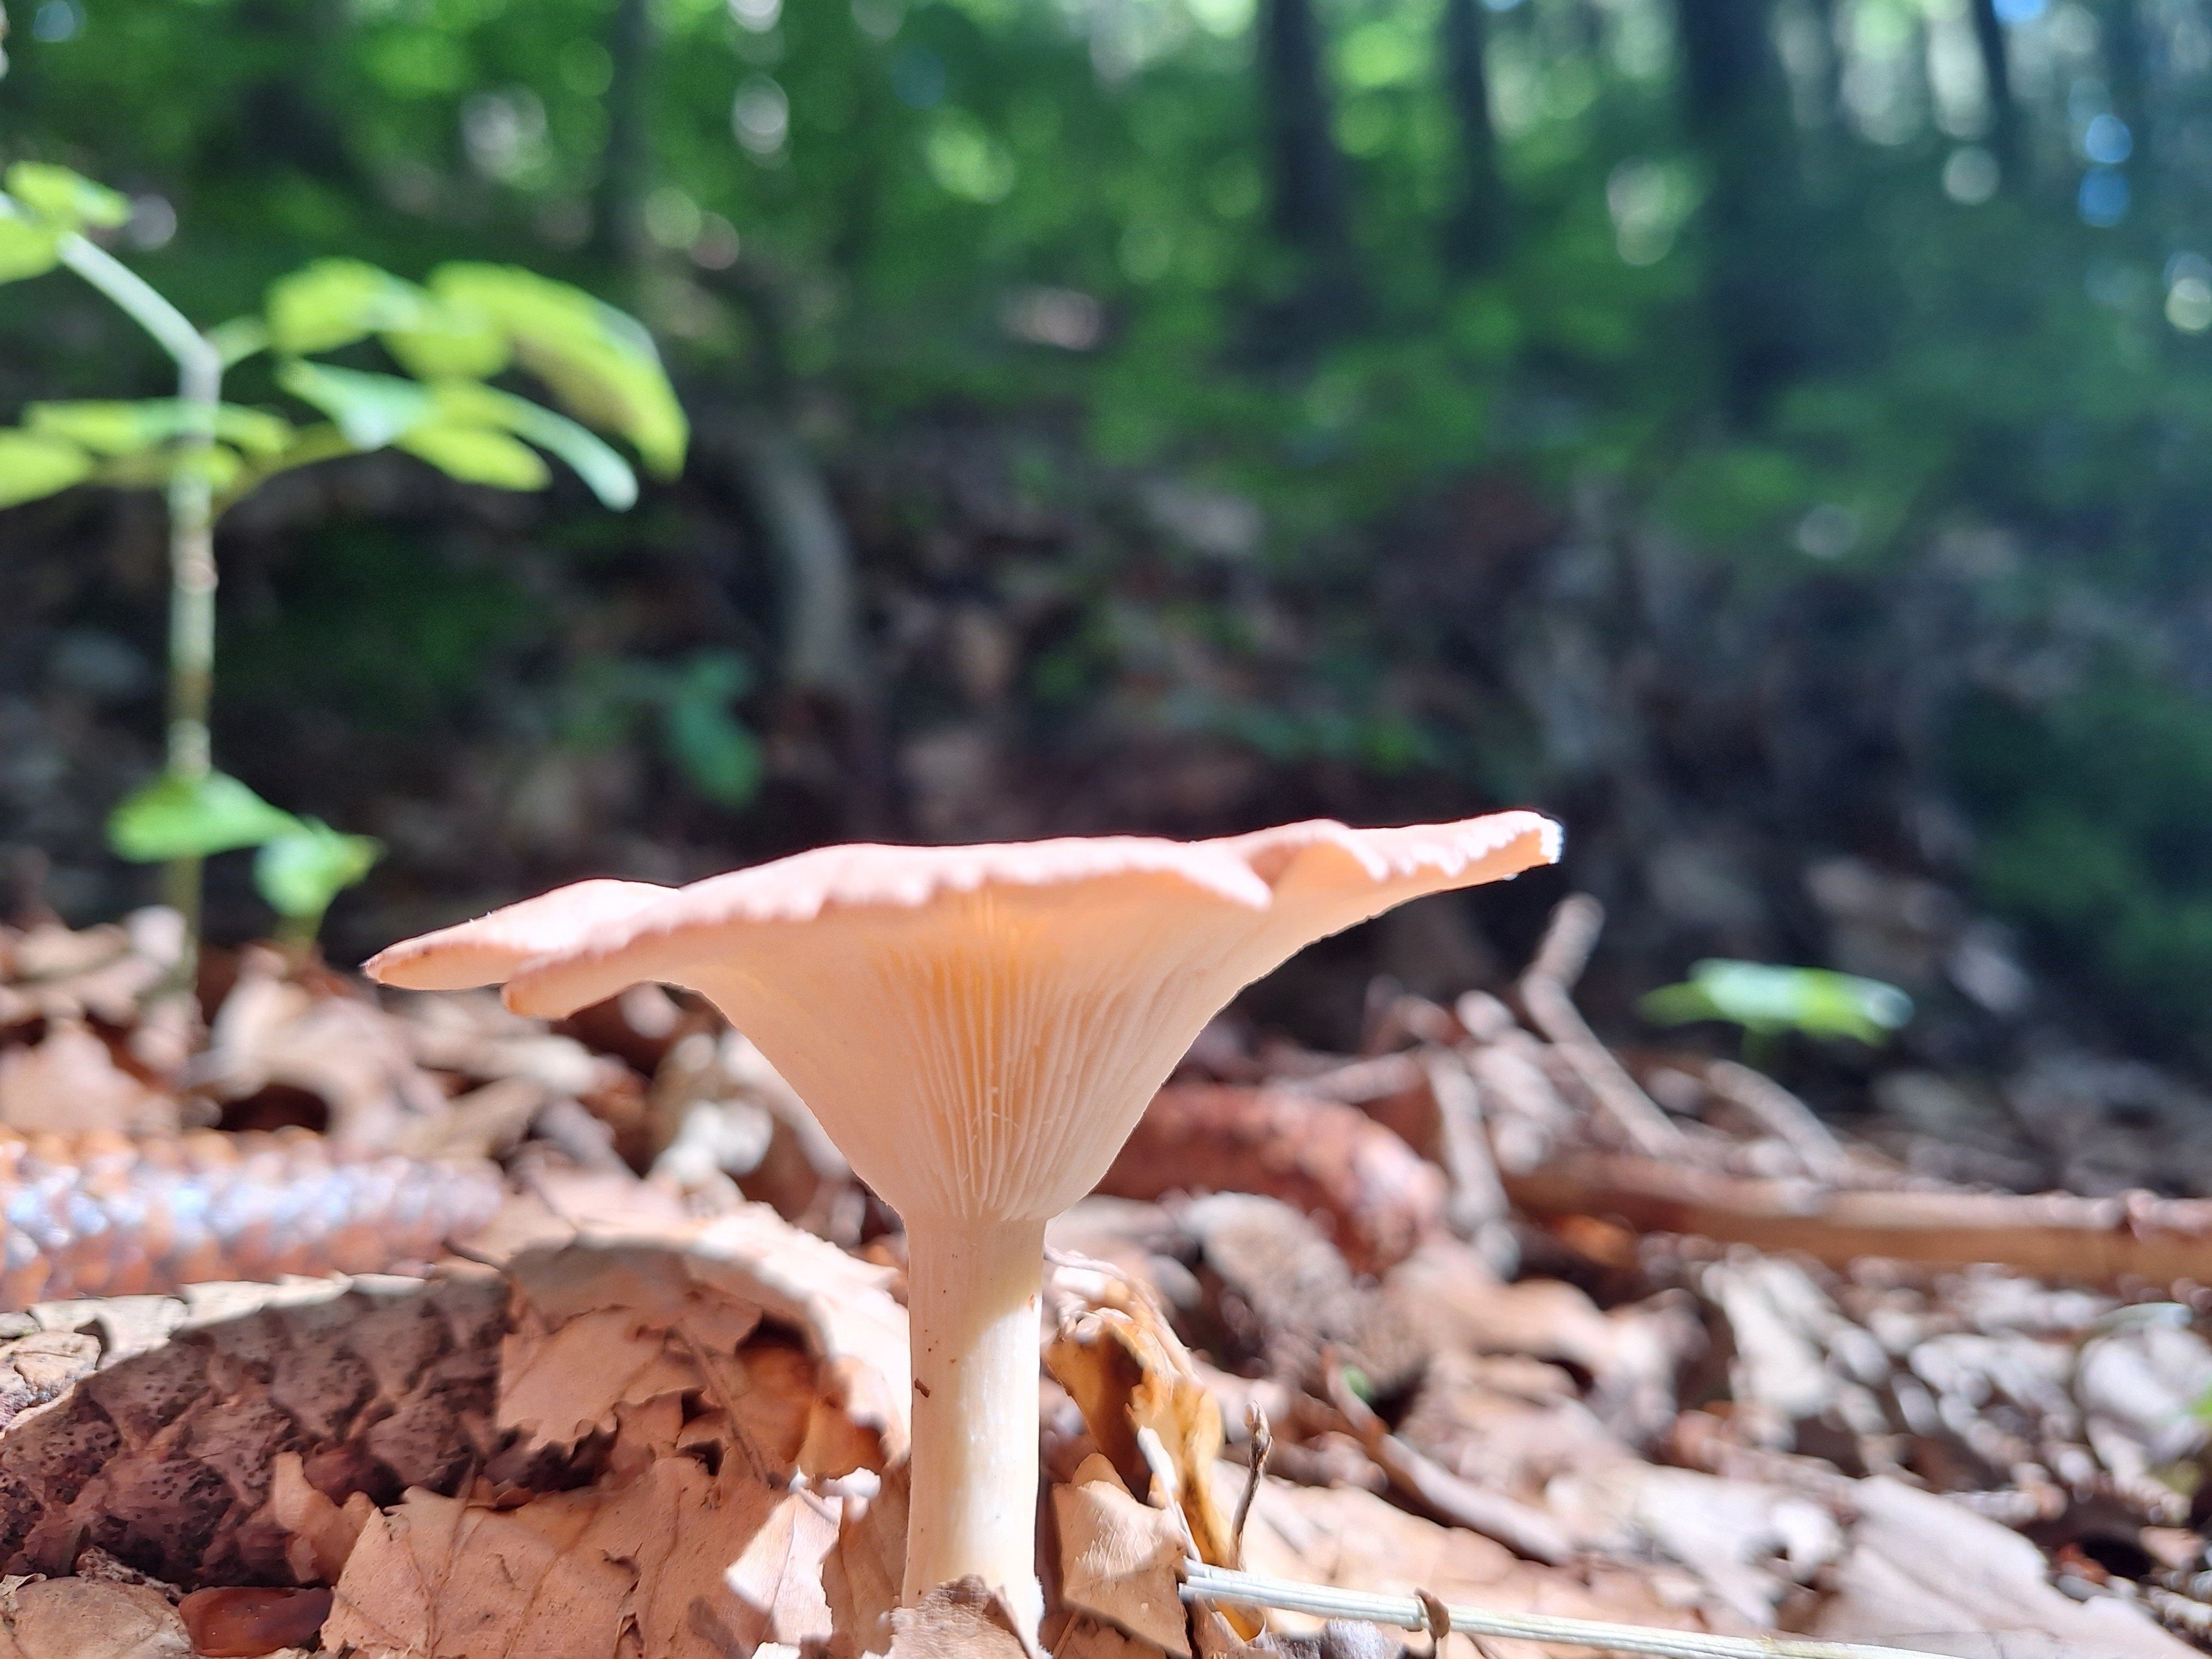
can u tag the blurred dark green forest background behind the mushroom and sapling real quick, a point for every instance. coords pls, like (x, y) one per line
(1771, 435)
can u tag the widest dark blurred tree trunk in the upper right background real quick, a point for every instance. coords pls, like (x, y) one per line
(1762, 251)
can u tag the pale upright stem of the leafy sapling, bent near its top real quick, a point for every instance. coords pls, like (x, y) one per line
(191, 545)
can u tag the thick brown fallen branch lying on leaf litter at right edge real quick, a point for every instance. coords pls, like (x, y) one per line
(2049, 1235)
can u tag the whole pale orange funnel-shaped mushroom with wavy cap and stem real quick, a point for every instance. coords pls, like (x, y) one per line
(979, 1030)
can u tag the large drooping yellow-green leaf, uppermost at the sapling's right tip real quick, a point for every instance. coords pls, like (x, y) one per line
(598, 362)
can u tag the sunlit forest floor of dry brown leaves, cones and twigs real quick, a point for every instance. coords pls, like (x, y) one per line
(1477, 1313)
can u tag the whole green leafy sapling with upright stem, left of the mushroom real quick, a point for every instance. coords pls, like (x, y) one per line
(450, 337)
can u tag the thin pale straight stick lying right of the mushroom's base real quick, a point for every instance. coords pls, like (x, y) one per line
(1406, 1614)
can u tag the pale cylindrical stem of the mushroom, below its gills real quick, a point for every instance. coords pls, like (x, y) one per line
(972, 1300)
